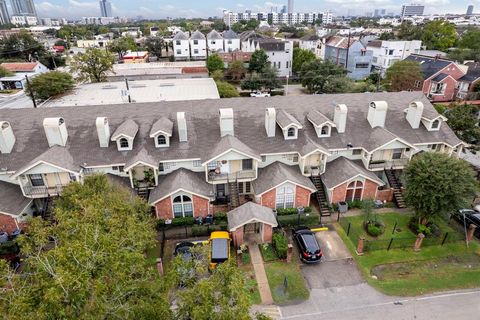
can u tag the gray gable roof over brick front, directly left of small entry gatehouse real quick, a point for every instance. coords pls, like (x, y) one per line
(193, 182)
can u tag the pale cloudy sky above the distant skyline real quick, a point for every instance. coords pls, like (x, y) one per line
(207, 8)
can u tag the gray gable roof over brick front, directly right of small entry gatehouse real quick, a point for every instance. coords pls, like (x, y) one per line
(276, 174)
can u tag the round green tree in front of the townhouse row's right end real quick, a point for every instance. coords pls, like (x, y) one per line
(431, 188)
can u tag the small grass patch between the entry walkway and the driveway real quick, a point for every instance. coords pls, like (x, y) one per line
(296, 290)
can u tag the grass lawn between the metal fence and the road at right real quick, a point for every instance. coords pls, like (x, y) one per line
(403, 272)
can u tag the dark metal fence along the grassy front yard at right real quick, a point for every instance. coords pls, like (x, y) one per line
(393, 242)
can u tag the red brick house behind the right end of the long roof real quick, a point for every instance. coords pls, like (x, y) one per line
(440, 77)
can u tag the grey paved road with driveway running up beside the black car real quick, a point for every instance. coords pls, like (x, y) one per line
(338, 292)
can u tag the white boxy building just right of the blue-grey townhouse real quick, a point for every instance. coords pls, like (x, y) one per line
(386, 53)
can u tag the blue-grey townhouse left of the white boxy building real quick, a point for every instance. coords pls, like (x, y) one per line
(350, 54)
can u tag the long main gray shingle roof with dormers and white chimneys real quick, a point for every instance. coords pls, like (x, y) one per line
(203, 127)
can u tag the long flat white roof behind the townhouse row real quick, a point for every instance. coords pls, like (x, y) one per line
(140, 91)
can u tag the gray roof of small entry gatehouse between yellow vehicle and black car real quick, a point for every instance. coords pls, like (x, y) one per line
(250, 212)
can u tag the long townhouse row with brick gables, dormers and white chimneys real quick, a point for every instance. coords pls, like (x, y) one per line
(198, 158)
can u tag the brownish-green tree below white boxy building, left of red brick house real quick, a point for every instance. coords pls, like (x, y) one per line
(402, 75)
